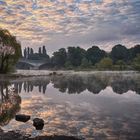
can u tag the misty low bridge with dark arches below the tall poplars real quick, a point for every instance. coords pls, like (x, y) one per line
(31, 64)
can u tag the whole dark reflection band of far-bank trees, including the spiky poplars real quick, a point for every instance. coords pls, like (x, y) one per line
(77, 83)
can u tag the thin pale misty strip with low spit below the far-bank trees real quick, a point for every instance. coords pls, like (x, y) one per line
(47, 73)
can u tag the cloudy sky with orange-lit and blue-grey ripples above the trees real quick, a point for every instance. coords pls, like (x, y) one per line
(63, 23)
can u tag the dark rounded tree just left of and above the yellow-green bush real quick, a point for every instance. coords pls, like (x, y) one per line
(95, 54)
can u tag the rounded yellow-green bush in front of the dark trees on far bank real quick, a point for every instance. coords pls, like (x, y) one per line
(105, 63)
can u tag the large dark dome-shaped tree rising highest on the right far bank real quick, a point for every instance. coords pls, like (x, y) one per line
(119, 52)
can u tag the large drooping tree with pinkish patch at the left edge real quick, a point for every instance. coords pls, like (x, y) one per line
(10, 51)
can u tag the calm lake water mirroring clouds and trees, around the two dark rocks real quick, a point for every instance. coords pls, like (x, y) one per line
(92, 106)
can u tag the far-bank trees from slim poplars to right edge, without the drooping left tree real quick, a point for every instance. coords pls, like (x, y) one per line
(120, 58)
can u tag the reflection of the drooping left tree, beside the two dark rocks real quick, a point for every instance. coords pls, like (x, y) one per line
(9, 103)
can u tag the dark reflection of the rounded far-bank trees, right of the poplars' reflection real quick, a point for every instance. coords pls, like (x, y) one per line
(96, 83)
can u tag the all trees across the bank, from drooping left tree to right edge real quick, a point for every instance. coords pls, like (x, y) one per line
(119, 58)
